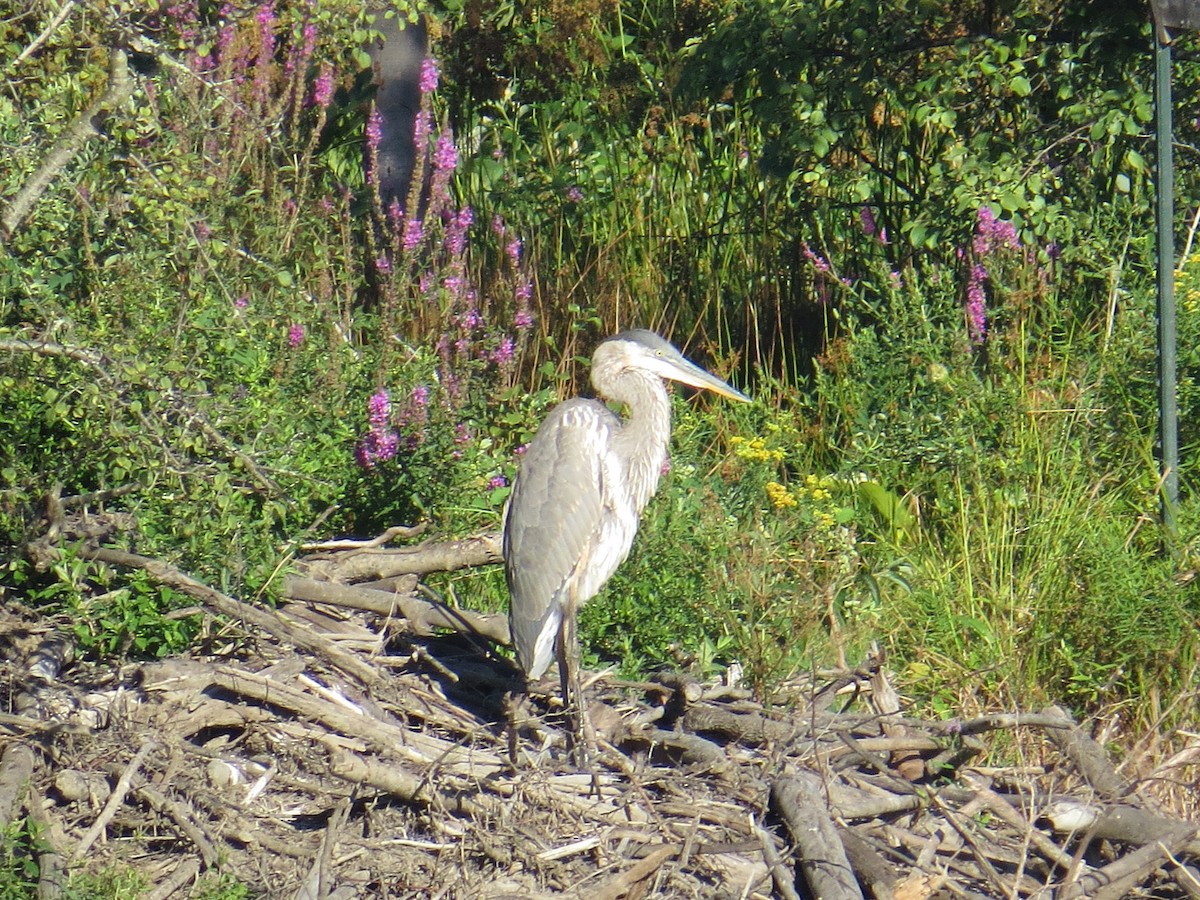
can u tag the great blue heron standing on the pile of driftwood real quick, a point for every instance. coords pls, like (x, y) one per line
(577, 501)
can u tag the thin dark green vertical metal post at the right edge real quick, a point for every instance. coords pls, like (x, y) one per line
(1165, 191)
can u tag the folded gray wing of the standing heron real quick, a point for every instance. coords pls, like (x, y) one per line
(553, 523)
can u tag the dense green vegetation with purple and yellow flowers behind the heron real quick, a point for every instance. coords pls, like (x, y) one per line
(922, 238)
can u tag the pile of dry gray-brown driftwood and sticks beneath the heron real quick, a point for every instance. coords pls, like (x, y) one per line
(364, 742)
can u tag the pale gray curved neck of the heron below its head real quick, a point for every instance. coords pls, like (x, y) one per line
(644, 436)
